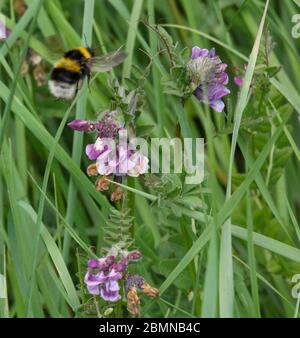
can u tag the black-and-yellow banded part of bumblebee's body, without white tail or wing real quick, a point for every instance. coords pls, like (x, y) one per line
(73, 66)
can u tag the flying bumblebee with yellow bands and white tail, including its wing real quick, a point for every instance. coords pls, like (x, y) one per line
(68, 73)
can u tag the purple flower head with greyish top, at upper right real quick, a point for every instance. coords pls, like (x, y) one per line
(208, 77)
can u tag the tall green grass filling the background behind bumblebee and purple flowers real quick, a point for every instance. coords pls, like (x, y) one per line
(227, 247)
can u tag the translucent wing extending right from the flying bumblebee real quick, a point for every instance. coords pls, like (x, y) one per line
(106, 62)
